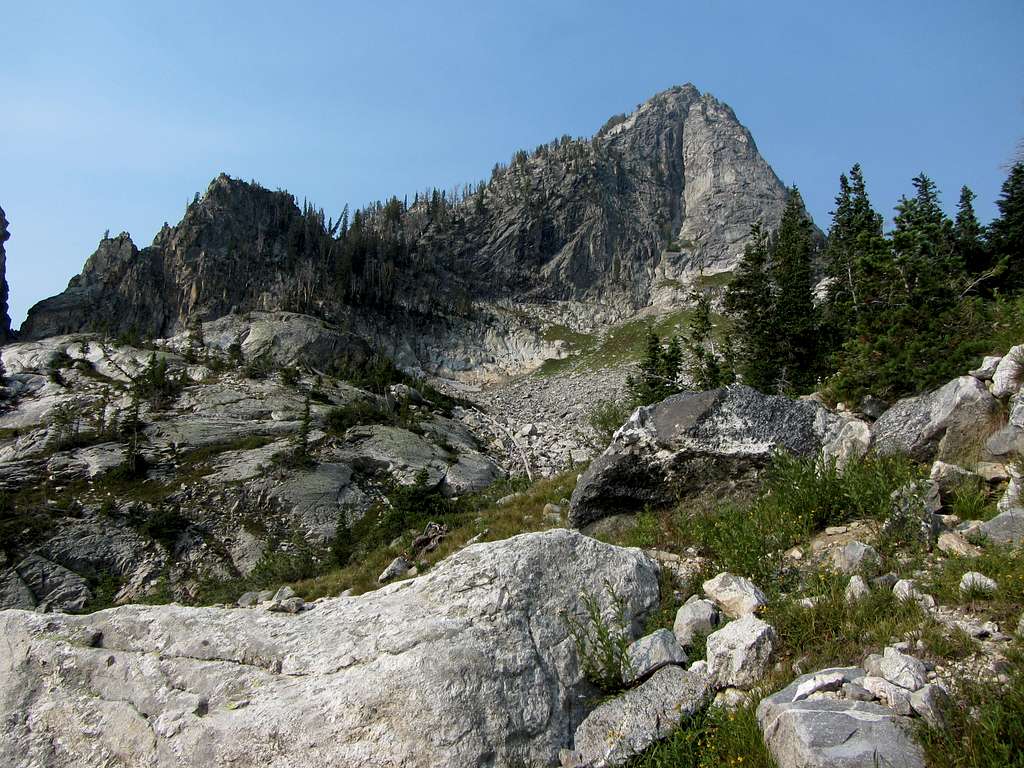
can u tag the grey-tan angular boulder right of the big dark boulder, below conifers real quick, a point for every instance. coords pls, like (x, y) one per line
(949, 423)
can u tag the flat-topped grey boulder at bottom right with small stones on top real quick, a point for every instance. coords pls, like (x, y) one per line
(834, 733)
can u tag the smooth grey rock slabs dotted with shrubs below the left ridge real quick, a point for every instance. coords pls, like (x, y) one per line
(219, 494)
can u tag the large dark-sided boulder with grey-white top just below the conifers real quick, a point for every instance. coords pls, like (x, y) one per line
(695, 442)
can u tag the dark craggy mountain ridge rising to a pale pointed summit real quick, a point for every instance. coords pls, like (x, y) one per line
(621, 221)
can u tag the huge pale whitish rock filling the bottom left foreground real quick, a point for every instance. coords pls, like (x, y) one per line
(470, 665)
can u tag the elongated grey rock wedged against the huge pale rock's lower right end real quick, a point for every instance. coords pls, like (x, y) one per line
(629, 724)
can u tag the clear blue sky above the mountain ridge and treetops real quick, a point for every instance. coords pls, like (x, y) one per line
(114, 115)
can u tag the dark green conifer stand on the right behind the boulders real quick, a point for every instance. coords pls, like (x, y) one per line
(866, 312)
